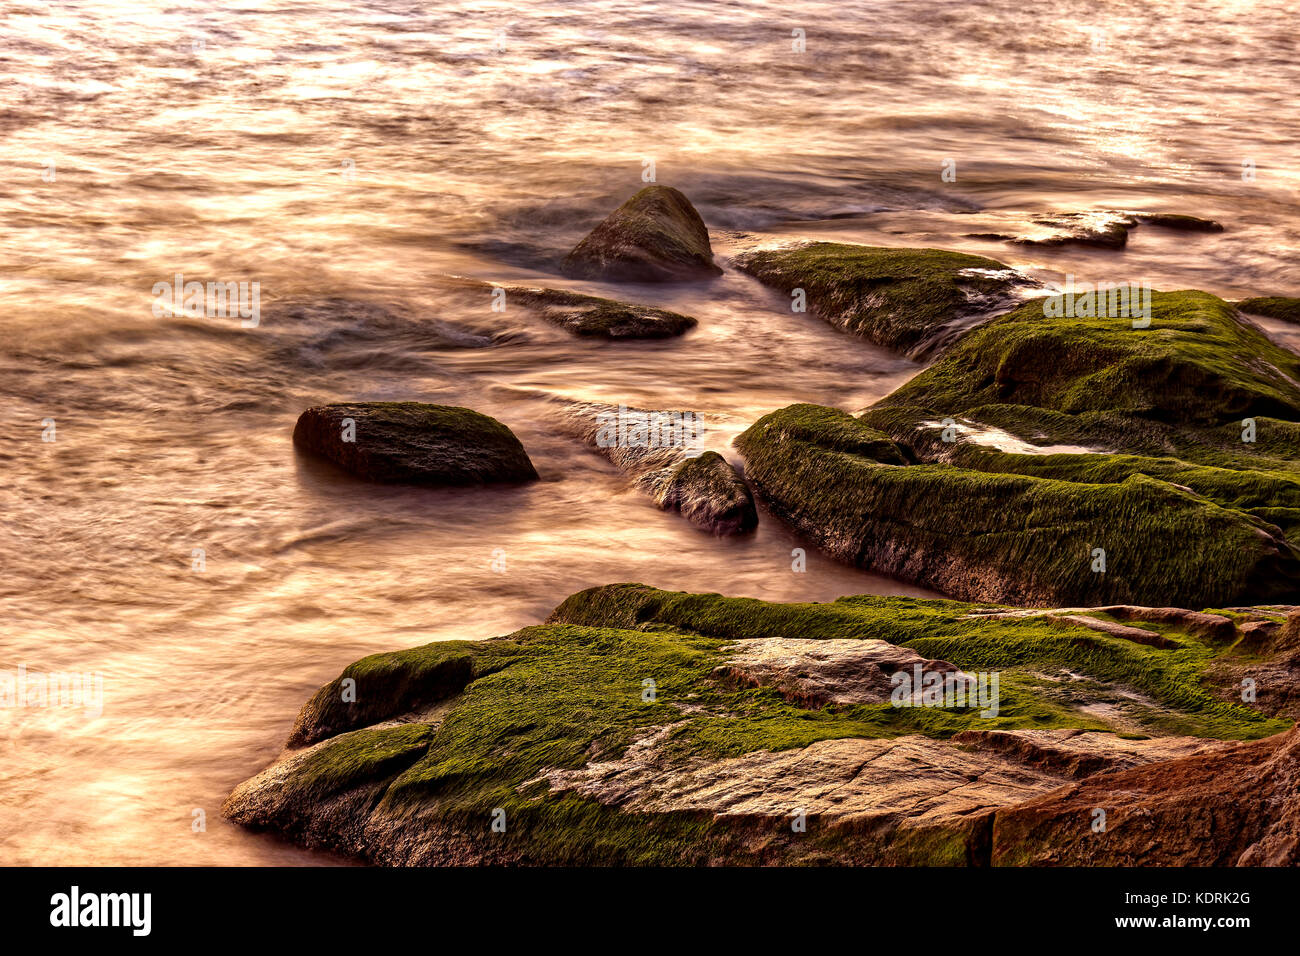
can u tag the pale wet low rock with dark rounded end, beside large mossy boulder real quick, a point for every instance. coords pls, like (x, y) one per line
(662, 452)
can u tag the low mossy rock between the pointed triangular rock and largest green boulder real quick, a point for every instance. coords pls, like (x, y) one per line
(913, 301)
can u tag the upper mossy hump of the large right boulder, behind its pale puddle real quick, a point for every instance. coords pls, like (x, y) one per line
(1182, 386)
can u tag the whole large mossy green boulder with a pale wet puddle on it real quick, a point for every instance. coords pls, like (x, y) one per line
(1061, 456)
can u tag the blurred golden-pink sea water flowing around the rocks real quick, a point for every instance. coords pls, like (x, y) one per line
(348, 155)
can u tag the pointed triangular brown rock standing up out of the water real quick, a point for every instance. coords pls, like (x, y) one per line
(655, 237)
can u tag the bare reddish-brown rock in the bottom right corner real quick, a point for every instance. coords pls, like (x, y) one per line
(1236, 806)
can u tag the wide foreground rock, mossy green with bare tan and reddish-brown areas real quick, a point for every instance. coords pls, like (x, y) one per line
(553, 733)
